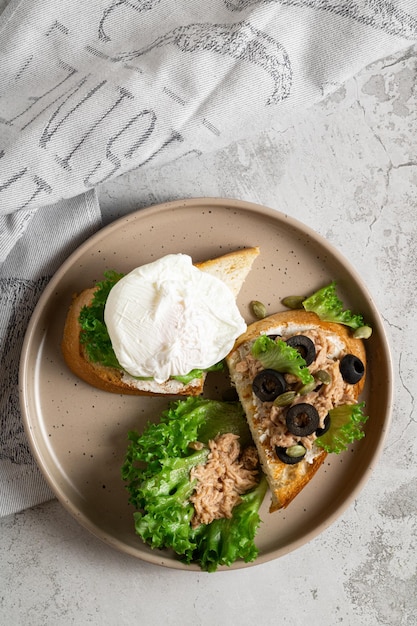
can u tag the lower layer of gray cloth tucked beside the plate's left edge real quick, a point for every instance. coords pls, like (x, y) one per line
(50, 236)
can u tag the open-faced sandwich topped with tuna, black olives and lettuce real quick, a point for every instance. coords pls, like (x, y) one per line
(299, 374)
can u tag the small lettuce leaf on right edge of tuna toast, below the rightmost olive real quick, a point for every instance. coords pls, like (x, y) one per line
(346, 422)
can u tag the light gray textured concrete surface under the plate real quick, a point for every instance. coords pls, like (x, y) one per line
(348, 169)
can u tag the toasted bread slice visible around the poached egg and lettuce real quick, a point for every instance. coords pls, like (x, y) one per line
(232, 268)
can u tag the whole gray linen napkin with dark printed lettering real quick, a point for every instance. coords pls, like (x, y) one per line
(90, 90)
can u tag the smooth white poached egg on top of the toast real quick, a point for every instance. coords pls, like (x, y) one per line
(168, 317)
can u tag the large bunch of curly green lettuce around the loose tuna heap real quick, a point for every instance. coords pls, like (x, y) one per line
(156, 471)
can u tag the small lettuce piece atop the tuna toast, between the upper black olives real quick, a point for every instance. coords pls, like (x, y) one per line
(278, 355)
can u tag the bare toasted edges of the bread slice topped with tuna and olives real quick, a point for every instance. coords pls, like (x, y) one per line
(286, 481)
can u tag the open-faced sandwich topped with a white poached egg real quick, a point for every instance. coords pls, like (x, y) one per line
(160, 328)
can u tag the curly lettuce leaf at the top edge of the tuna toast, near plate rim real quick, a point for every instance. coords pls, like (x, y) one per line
(327, 305)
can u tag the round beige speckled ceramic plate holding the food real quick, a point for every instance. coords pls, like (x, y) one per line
(78, 434)
